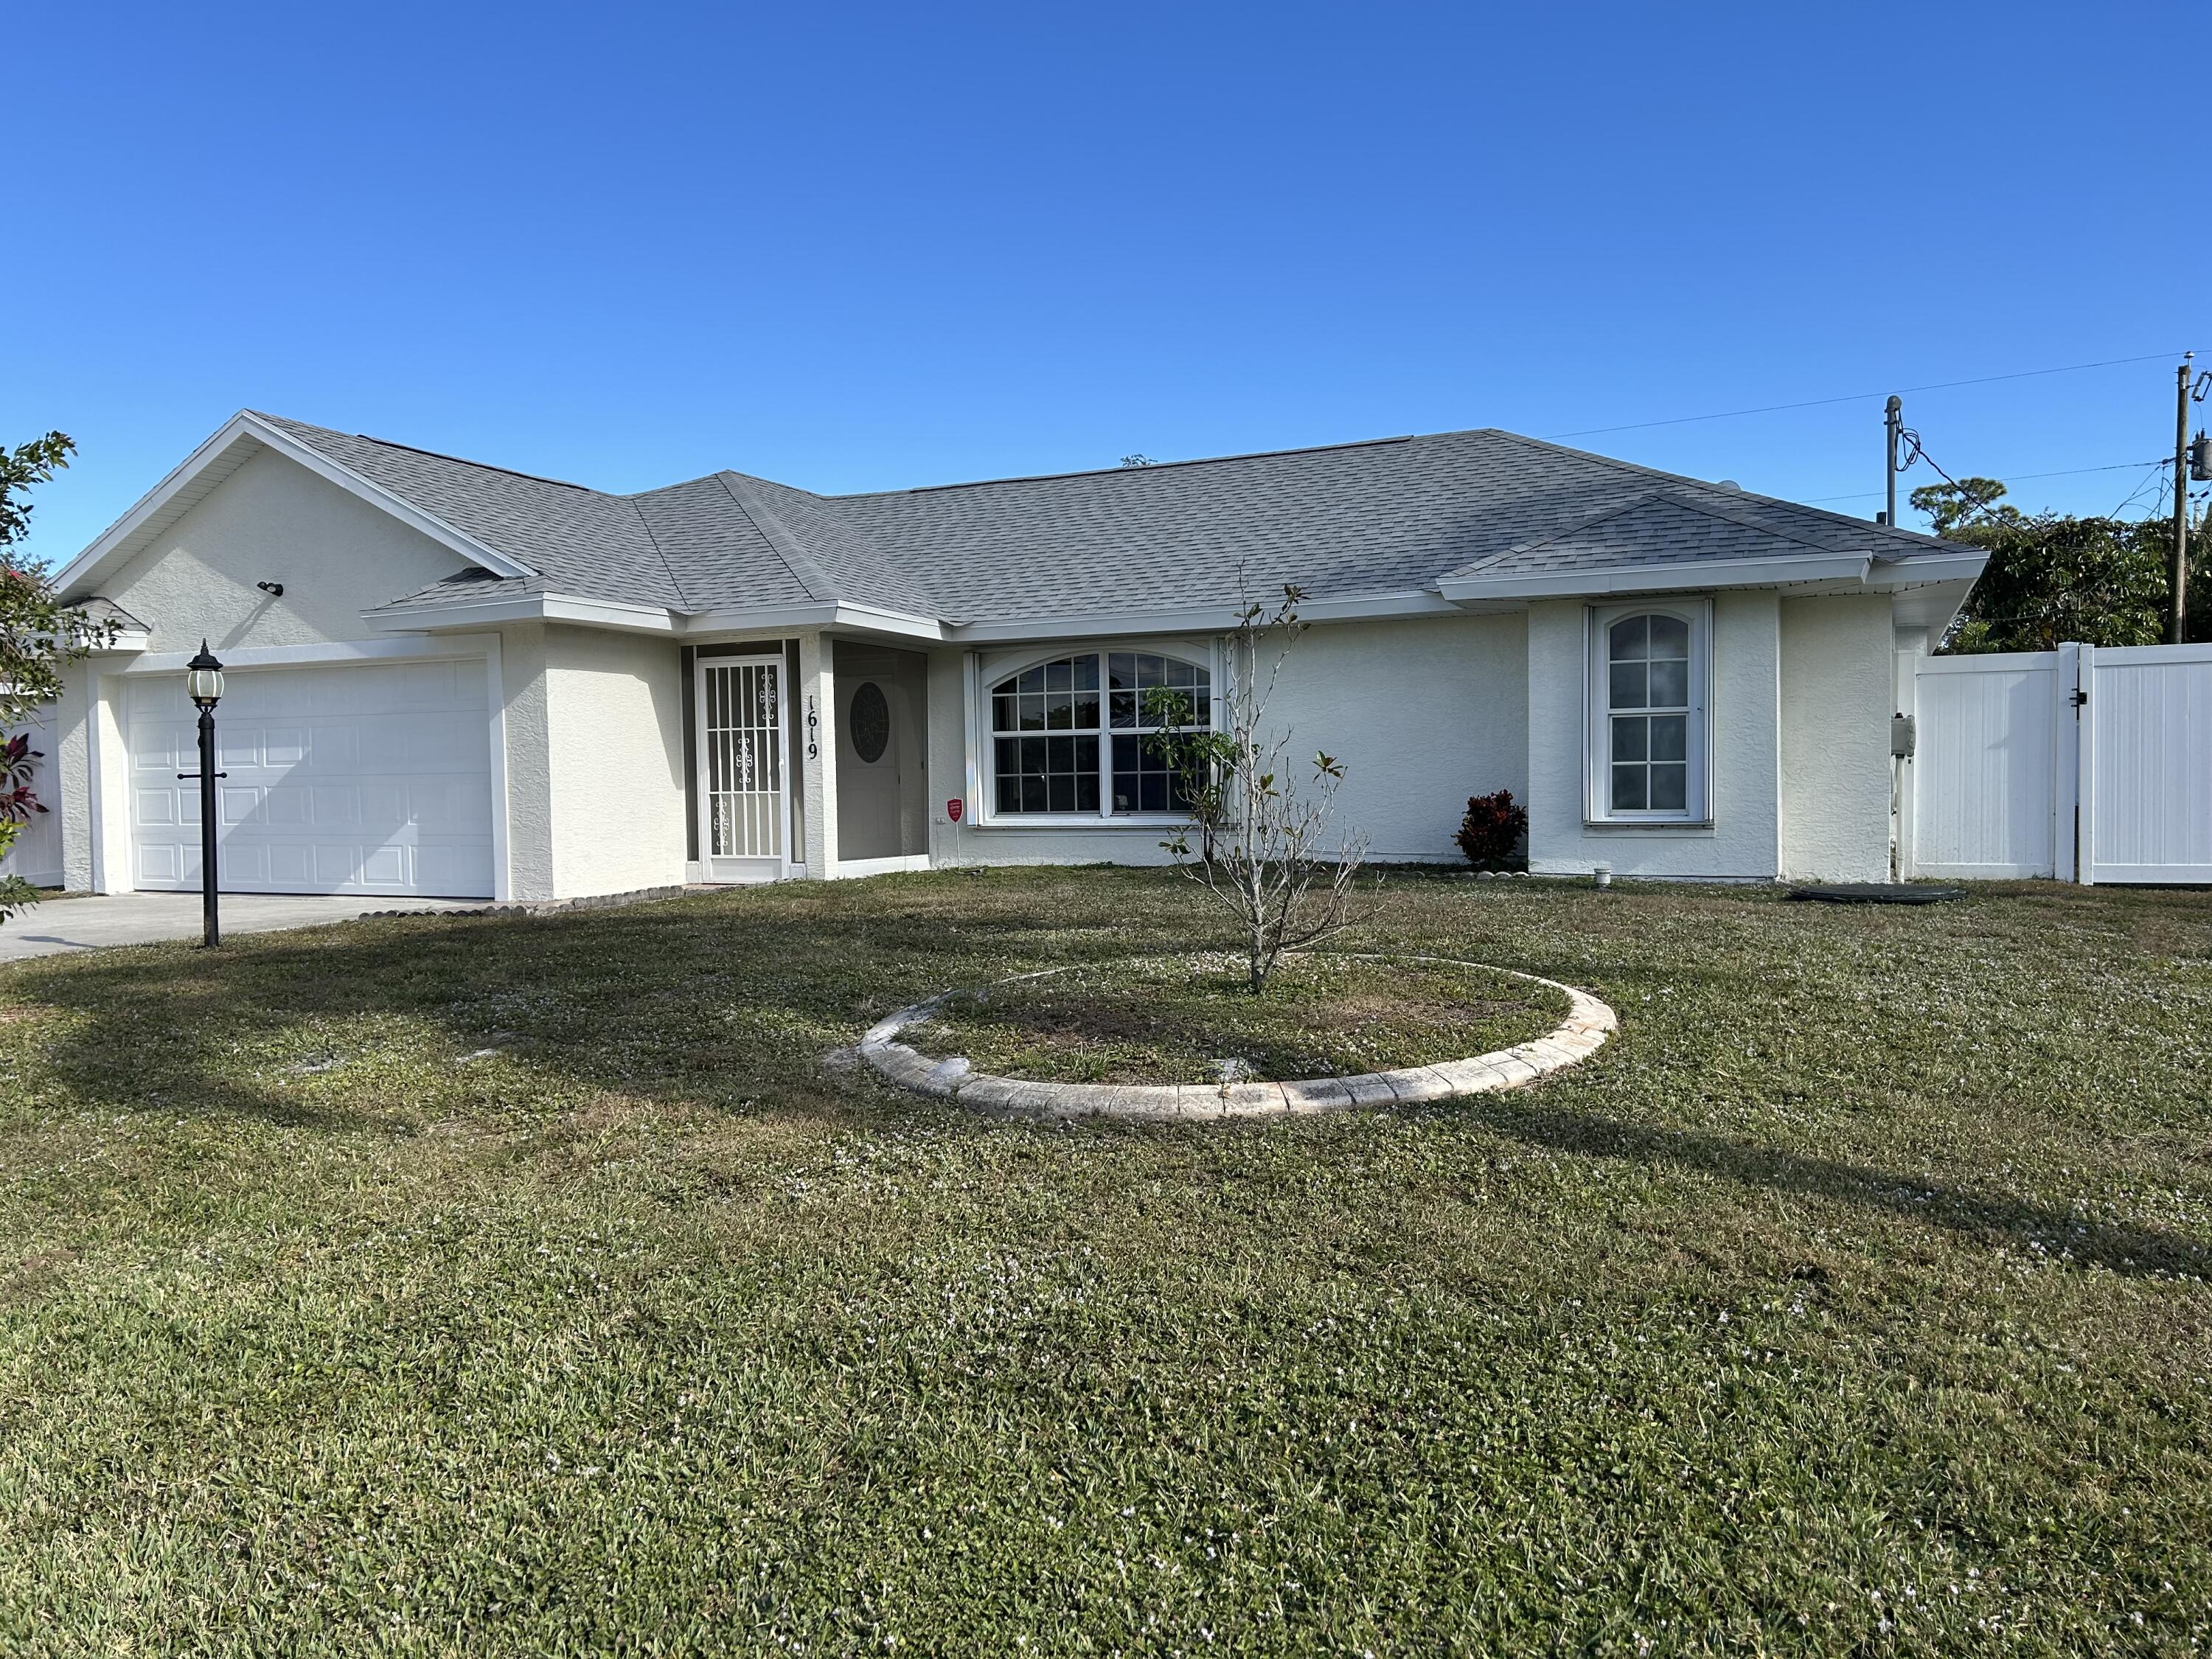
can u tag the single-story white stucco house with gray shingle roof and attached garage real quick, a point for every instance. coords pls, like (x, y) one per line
(450, 678)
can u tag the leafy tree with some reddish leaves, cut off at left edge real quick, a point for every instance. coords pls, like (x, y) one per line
(39, 640)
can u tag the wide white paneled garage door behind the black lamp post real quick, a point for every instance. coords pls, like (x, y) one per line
(359, 780)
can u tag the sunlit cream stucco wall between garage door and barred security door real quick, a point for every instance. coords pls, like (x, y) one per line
(616, 762)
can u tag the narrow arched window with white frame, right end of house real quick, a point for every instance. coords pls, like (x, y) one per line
(1649, 716)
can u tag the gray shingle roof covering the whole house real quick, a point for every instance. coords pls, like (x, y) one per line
(1366, 519)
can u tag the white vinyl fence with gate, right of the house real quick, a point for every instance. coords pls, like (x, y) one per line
(2083, 764)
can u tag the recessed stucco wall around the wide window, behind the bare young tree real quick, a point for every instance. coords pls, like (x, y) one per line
(1423, 713)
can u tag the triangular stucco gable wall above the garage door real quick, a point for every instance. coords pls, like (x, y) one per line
(273, 521)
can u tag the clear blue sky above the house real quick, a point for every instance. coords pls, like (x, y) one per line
(879, 247)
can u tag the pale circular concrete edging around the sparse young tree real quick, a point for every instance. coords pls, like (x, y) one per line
(1574, 1041)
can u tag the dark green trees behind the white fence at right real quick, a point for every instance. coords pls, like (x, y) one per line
(2054, 578)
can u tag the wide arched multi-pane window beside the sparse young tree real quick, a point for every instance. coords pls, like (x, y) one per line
(1070, 735)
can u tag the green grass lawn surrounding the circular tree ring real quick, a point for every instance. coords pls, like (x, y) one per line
(528, 1286)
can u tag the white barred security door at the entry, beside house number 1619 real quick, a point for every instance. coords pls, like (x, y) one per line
(744, 766)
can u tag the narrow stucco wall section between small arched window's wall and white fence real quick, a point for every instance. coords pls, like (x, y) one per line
(1837, 658)
